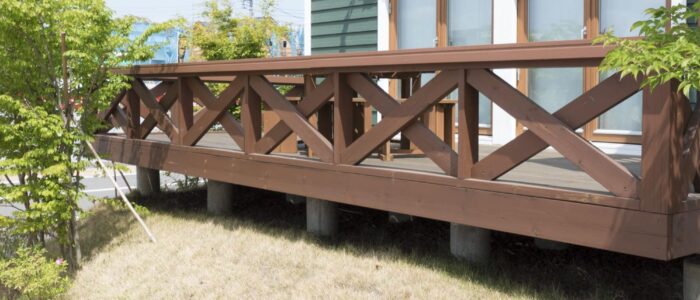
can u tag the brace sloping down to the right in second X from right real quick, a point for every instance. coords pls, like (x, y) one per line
(431, 145)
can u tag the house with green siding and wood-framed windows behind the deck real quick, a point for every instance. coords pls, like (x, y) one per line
(375, 25)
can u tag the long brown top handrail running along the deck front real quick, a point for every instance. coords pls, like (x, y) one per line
(540, 54)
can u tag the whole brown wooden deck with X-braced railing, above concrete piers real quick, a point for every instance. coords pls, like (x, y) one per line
(549, 182)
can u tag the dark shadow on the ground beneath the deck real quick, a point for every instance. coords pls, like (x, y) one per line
(516, 266)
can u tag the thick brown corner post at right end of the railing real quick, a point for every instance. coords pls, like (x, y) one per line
(663, 125)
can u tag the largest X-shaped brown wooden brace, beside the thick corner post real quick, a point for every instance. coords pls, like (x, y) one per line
(557, 130)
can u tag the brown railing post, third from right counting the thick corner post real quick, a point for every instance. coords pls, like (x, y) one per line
(342, 116)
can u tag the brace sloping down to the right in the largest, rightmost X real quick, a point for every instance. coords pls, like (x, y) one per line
(609, 173)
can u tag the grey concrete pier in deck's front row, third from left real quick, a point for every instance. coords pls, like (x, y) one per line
(321, 217)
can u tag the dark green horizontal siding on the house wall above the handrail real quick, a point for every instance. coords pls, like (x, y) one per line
(343, 26)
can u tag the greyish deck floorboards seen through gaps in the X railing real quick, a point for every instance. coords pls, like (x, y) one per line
(547, 169)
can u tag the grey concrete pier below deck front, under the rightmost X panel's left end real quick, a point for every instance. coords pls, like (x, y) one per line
(472, 244)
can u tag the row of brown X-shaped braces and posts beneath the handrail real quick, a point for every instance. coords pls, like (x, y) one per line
(544, 129)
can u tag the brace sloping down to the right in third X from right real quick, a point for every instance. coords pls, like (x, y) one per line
(293, 118)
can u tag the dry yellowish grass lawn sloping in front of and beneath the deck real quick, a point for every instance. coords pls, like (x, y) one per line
(262, 251)
